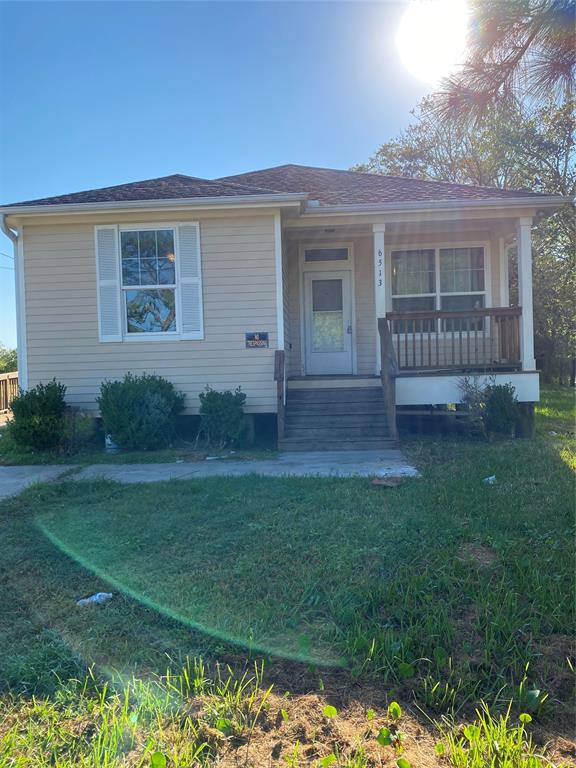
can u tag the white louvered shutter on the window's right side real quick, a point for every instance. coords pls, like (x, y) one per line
(190, 271)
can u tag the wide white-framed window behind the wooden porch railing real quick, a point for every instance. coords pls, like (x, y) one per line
(438, 278)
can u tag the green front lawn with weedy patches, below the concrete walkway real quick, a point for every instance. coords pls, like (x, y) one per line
(441, 593)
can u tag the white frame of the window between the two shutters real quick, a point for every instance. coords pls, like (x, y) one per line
(153, 335)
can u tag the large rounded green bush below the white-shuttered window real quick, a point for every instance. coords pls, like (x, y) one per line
(140, 412)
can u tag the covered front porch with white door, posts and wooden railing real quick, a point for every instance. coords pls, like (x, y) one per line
(408, 306)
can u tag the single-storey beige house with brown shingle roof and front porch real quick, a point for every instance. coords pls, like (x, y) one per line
(331, 297)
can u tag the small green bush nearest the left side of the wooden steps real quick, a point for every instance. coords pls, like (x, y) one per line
(222, 416)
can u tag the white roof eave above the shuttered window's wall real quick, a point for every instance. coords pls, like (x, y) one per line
(236, 201)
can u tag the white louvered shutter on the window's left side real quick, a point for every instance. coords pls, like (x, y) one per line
(109, 314)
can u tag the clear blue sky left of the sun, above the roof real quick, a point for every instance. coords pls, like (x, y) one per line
(100, 93)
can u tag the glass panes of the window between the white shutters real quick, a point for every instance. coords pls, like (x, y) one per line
(149, 262)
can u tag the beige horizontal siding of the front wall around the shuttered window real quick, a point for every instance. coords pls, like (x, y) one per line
(239, 296)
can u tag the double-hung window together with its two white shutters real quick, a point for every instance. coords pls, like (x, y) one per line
(149, 282)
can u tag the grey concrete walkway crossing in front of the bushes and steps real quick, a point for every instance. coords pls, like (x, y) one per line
(384, 463)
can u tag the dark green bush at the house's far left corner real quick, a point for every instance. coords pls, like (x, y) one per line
(38, 413)
